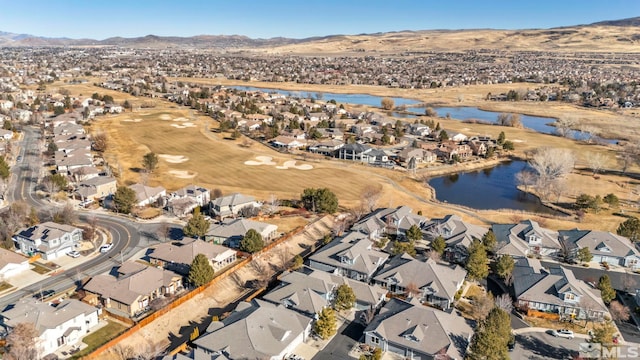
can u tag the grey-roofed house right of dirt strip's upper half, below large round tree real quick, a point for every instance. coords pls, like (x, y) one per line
(352, 256)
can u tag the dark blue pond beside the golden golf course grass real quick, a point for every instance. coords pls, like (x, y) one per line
(490, 188)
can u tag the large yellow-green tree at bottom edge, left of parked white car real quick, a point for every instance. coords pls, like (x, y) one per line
(490, 340)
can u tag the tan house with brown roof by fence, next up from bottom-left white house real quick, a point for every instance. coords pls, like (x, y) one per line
(132, 292)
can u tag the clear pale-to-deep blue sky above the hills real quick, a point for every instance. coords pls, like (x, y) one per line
(294, 19)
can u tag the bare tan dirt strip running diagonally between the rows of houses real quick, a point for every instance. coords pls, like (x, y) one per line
(156, 335)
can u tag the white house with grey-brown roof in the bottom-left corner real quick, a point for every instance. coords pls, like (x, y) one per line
(58, 325)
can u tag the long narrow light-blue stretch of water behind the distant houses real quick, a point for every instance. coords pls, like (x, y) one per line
(536, 123)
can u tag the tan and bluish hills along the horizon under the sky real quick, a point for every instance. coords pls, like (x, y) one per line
(613, 36)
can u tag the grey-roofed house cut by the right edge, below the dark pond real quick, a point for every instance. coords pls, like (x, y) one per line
(604, 246)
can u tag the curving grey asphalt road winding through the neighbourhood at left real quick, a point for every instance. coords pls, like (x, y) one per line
(125, 234)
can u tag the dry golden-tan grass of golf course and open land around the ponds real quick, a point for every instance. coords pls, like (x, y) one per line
(191, 153)
